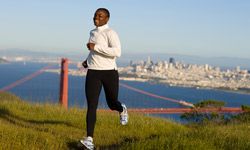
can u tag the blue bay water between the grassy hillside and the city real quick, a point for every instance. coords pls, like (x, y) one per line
(45, 88)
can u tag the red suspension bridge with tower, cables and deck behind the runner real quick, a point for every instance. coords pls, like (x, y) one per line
(64, 95)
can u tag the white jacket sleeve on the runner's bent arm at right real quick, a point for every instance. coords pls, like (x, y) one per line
(114, 46)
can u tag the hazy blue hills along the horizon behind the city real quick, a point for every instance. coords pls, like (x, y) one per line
(80, 55)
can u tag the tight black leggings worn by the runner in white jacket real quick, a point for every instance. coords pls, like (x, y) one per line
(95, 79)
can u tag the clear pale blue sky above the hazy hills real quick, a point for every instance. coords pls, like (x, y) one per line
(191, 27)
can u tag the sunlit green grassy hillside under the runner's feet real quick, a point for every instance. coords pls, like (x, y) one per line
(45, 126)
